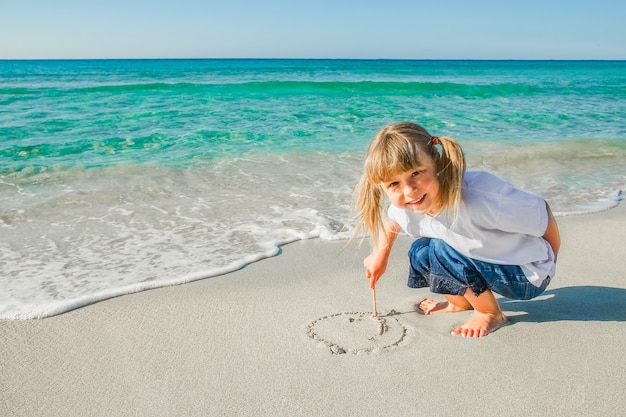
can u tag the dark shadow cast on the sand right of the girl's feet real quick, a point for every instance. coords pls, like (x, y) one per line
(583, 303)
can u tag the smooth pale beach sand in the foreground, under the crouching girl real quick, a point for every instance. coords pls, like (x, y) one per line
(293, 336)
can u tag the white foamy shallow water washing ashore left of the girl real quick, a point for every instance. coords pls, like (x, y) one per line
(128, 229)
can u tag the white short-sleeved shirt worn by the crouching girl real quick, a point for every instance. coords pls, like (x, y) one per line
(497, 223)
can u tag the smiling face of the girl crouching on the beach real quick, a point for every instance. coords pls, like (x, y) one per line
(415, 190)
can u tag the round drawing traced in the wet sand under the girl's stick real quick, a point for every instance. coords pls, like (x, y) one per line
(357, 332)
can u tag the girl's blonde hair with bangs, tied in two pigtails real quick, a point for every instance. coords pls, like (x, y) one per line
(398, 148)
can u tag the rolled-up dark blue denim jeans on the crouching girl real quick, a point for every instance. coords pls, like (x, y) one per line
(437, 265)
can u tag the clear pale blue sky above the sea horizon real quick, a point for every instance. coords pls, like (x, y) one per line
(403, 29)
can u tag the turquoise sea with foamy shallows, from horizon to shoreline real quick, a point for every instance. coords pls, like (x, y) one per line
(118, 176)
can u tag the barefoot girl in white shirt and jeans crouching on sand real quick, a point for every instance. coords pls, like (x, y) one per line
(476, 233)
